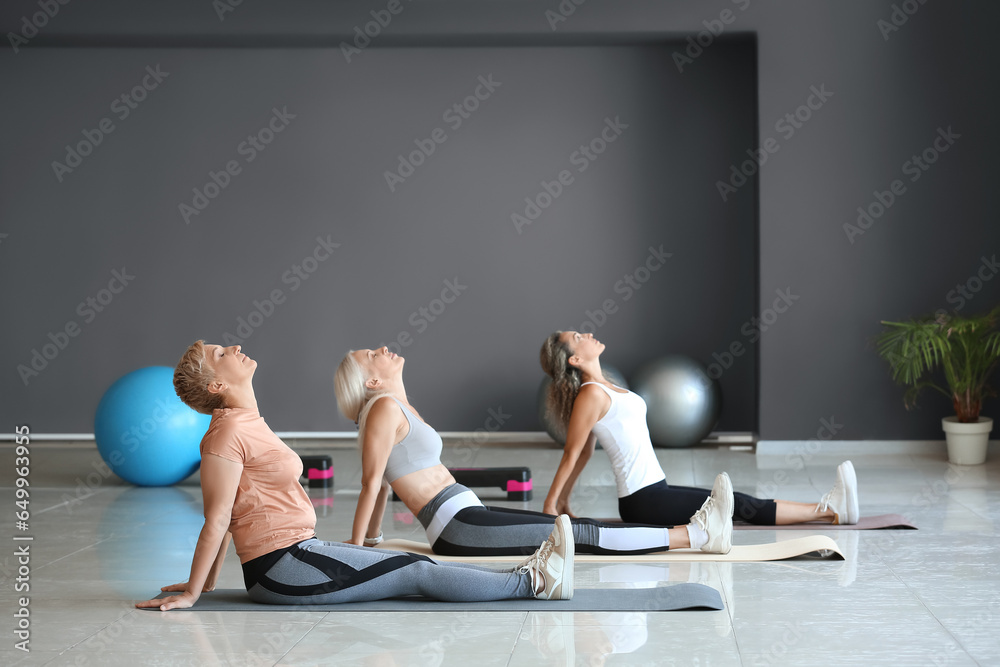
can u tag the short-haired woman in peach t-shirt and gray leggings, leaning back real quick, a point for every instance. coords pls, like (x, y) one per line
(252, 495)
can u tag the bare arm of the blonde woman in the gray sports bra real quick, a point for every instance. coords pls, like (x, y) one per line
(380, 435)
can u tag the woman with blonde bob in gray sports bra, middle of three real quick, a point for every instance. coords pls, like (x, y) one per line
(399, 450)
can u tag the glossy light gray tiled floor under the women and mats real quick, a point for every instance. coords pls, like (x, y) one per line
(902, 597)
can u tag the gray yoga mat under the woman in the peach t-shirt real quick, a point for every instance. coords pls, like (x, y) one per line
(676, 597)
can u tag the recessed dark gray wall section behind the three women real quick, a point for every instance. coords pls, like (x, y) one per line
(444, 233)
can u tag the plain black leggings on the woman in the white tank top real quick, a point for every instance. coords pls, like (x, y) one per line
(663, 505)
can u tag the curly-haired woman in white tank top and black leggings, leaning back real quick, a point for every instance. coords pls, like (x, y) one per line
(592, 409)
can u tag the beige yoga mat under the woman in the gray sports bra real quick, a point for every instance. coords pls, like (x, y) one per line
(821, 546)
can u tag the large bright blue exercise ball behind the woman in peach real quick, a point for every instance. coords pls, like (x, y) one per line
(145, 434)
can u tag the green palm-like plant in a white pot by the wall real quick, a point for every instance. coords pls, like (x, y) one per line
(967, 349)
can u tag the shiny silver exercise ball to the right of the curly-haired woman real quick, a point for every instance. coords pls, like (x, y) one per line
(683, 403)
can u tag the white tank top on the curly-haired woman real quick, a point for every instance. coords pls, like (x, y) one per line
(623, 433)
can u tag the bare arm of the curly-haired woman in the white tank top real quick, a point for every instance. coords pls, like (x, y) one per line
(588, 407)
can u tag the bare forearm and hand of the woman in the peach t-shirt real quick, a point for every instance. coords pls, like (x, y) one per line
(219, 480)
